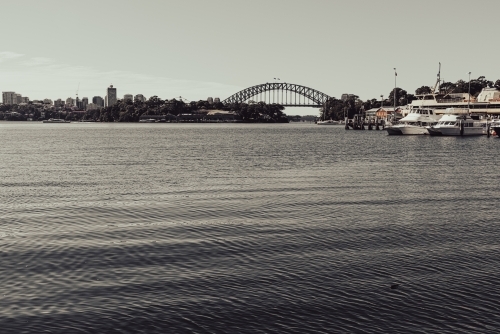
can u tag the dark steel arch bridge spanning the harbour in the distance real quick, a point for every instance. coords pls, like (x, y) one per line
(286, 94)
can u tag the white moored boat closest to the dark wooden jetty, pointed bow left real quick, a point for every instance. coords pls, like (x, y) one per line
(415, 123)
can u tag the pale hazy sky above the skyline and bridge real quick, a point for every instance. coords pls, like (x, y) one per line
(215, 48)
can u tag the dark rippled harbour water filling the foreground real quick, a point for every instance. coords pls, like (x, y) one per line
(213, 228)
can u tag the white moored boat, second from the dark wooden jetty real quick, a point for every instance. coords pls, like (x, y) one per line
(458, 123)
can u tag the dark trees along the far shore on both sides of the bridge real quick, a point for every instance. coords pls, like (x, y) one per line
(337, 109)
